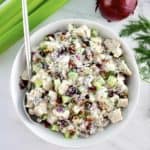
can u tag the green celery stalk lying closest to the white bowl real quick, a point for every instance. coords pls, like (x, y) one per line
(16, 32)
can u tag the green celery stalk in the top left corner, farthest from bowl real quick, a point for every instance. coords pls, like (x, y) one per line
(9, 10)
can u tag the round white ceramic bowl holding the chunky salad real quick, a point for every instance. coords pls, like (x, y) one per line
(55, 138)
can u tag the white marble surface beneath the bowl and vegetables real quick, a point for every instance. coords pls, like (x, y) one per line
(13, 134)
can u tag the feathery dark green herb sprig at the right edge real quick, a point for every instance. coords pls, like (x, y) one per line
(140, 32)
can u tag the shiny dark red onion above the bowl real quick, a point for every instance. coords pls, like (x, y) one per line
(114, 10)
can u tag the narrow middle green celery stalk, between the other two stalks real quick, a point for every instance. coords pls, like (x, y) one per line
(17, 18)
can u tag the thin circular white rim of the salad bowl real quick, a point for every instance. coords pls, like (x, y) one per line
(85, 21)
